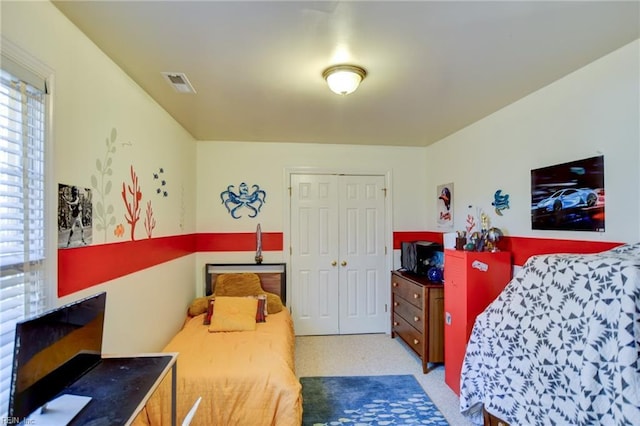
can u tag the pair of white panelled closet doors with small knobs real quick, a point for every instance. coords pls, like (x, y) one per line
(339, 279)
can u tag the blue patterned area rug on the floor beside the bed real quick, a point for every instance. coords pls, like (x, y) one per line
(367, 400)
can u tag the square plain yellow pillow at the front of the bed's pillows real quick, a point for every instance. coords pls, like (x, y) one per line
(234, 314)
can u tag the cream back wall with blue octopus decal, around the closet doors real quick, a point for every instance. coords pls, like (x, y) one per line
(220, 164)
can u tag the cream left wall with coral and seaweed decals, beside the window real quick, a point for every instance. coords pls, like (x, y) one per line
(92, 96)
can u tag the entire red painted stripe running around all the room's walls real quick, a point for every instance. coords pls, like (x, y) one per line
(84, 267)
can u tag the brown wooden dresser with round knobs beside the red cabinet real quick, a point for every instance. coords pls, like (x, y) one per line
(417, 316)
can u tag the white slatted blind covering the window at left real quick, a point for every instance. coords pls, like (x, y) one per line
(22, 209)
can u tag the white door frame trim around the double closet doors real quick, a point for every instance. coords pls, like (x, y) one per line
(286, 208)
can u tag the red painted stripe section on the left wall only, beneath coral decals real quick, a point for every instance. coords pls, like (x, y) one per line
(84, 267)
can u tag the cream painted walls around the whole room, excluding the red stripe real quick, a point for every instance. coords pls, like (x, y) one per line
(590, 112)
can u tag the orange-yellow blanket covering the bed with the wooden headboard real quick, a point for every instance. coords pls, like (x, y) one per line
(244, 378)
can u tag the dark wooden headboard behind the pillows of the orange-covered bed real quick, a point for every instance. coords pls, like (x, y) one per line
(273, 276)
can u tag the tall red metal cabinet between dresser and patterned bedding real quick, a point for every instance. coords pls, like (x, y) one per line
(472, 280)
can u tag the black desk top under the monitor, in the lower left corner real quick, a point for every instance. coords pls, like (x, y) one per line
(117, 386)
